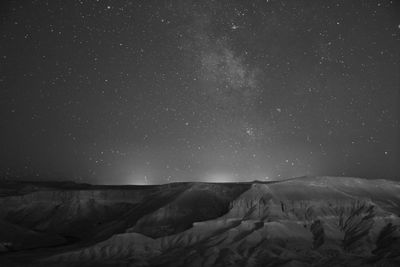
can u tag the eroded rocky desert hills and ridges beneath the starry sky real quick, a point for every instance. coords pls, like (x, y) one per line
(308, 221)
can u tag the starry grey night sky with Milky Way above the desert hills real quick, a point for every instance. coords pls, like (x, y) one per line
(145, 92)
